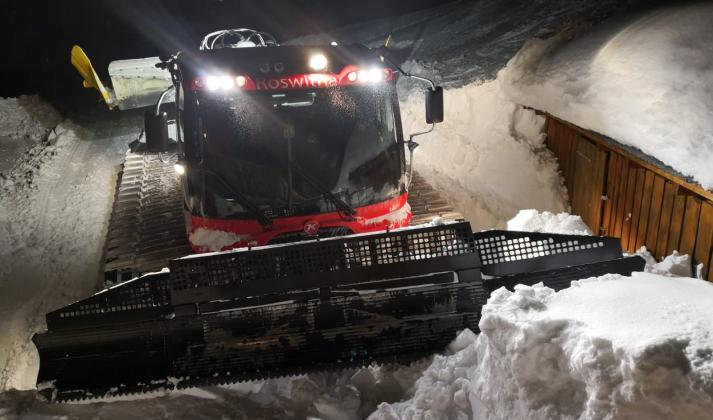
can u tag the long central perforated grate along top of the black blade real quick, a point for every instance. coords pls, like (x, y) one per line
(326, 263)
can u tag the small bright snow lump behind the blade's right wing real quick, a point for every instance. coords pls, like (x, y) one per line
(534, 221)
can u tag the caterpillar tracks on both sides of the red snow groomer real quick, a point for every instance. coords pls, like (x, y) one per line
(147, 226)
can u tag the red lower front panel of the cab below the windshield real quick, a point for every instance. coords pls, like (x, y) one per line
(208, 235)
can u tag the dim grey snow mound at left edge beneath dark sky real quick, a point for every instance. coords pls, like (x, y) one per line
(27, 117)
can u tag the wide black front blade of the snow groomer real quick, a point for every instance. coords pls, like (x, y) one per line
(389, 297)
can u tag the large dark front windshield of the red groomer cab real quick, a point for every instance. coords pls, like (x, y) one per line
(283, 151)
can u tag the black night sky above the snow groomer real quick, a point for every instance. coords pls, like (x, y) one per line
(38, 34)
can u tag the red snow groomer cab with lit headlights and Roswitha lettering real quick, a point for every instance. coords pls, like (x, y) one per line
(282, 143)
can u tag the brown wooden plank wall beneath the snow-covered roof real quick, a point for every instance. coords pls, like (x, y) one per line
(618, 194)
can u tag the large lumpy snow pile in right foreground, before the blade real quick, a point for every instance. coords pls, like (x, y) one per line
(608, 347)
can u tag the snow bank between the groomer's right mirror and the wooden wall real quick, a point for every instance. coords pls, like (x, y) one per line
(488, 156)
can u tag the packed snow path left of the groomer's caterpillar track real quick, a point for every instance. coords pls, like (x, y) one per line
(54, 206)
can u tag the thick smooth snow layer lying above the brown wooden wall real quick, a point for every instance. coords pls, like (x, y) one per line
(644, 80)
